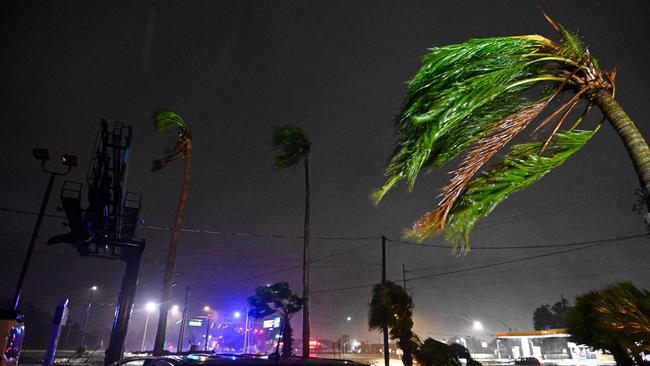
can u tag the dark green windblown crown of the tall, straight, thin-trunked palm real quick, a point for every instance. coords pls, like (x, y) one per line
(291, 145)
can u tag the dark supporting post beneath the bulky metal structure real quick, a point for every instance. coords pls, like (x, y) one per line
(124, 305)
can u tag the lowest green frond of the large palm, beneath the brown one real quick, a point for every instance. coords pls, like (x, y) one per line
(521, 167)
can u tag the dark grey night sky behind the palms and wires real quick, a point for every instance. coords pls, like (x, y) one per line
(235, 69)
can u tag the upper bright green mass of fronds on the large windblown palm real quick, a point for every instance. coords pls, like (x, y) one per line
(457, 92)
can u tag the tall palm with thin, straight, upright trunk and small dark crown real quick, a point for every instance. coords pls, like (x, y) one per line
(291, 146)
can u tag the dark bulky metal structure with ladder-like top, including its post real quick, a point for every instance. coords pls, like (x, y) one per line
(106, 227)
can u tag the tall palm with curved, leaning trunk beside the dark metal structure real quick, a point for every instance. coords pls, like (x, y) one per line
(163, 120)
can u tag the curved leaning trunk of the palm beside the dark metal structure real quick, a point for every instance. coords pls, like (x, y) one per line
(171, 255)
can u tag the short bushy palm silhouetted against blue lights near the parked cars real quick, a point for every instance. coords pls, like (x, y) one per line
(277, 299)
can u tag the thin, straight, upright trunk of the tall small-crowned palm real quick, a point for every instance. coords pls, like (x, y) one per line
(305, 265)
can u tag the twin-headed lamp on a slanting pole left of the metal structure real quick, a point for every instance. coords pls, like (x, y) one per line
(43, 156)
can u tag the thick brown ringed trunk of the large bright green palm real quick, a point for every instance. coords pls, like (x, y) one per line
(634, 142)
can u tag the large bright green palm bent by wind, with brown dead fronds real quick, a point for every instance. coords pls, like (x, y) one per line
(475, 97)
